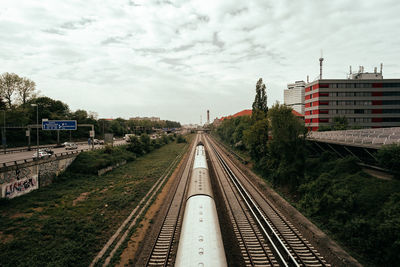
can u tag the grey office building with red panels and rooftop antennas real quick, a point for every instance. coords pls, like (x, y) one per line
(365, 99)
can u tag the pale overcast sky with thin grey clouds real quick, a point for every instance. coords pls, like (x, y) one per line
(176, 59)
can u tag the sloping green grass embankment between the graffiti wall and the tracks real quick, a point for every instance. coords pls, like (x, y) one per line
(67, 223)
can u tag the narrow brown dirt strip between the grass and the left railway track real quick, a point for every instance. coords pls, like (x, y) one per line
(129, 252)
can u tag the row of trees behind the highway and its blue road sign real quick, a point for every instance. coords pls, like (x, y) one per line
(18, 93)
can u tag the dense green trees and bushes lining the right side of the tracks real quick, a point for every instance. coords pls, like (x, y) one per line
(358, 210)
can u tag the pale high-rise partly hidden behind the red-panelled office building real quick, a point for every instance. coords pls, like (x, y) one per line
(294, 96)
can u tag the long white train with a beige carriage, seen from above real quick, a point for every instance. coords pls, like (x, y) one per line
(200, 243)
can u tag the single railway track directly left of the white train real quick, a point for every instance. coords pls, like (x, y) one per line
(163, 251)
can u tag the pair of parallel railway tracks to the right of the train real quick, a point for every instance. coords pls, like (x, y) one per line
(265, 236)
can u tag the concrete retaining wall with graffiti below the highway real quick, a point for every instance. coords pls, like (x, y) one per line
(21, 179)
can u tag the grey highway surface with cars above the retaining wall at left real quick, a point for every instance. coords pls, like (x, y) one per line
(20, 156)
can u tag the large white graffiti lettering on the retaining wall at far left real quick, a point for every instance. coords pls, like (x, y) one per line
(20, 187)
